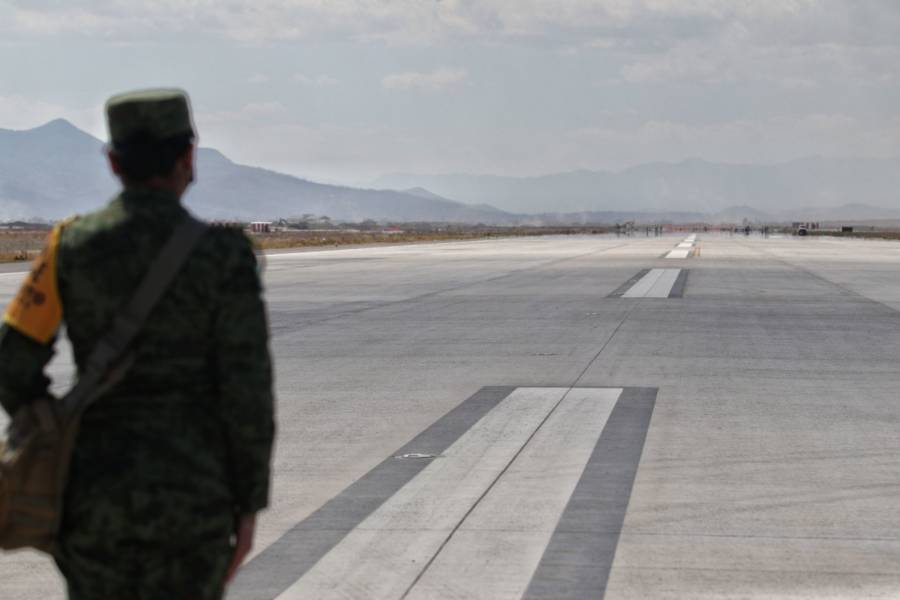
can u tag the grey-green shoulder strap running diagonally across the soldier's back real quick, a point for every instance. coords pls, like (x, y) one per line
(131, 318)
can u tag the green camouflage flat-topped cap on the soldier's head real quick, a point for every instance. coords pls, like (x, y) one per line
(156, 113)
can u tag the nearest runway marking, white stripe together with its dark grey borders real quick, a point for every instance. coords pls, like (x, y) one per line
(480, 519)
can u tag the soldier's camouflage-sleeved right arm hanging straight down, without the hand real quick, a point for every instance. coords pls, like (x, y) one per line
(244, 374)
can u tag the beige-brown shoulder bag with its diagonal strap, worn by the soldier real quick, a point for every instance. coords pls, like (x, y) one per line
(35, 457)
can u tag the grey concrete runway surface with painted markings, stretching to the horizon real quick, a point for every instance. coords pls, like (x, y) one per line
(577, 417)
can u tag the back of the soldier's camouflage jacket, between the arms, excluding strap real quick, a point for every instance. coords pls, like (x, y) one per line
(150, 471)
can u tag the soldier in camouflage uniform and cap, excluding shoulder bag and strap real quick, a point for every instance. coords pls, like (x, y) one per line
(172, 463)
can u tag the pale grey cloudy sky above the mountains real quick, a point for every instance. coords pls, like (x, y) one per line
(343, 91)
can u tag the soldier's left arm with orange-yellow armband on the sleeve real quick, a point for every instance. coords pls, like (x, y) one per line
(29, 329)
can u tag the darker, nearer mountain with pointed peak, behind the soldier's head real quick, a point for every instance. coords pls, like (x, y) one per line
(57, 170)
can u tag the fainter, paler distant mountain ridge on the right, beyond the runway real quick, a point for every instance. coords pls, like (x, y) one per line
(691, 185)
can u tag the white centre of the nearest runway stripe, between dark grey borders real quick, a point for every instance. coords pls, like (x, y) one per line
(388, 551)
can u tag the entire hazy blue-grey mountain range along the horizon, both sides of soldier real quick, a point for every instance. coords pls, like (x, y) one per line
(56, 170)
